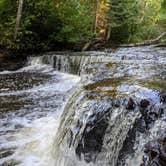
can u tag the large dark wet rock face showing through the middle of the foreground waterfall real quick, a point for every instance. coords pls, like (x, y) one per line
(92, 139)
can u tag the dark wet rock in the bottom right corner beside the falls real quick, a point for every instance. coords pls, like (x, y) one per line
(155, 153)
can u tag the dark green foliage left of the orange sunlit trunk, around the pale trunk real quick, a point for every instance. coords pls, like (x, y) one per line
(44, 24)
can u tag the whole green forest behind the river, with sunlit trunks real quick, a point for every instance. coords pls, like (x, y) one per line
(33, 25)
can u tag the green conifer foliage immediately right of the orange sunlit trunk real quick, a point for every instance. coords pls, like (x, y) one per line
(124, 16)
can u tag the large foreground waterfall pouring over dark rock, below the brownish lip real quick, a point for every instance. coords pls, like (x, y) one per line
(92, 132)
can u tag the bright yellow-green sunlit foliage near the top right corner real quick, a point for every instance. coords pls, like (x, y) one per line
(149, 27)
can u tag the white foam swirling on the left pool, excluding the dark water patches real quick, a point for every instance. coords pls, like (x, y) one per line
(34, 141)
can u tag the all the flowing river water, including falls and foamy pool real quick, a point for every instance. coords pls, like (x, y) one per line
(103, 115)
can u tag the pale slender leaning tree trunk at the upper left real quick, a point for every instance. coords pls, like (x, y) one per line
(18, 19)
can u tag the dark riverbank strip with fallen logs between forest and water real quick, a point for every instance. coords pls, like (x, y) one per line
(94, 45)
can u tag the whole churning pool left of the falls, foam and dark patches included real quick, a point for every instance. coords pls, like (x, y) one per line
(31, 102)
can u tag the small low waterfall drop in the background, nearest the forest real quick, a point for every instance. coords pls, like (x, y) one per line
(74, 63)
